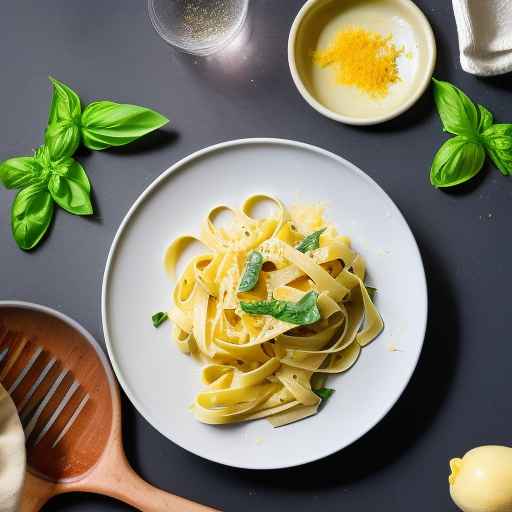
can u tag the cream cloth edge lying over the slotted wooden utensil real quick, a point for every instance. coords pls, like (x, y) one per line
(12, 454)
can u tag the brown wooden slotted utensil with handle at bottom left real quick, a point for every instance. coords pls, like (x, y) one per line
(69, 405)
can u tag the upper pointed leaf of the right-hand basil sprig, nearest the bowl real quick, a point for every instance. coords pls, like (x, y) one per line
(458, 113)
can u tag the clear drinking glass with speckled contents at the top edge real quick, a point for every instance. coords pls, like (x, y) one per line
(199, 27)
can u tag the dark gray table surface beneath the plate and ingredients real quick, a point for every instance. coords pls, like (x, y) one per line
(459, 395)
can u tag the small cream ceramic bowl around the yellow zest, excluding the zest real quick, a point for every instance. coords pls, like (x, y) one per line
(316, 25)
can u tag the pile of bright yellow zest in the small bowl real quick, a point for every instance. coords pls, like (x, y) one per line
(364, 59)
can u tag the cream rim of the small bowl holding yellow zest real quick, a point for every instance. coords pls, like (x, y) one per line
(292, 38)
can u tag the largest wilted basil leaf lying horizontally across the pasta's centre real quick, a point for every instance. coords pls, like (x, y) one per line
(303, 312)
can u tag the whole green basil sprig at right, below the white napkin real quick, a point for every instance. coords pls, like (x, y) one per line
(461, 157)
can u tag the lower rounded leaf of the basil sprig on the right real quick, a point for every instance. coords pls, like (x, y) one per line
(457, 161)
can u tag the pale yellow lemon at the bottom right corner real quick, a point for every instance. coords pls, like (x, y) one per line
(482, 480)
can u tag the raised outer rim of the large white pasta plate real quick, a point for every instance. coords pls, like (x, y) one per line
(148, 191)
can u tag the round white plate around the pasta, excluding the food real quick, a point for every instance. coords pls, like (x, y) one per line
(161, 382)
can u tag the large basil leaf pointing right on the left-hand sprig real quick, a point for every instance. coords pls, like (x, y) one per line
(105, 124)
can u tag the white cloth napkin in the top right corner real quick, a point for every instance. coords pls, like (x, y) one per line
(485, 35)
